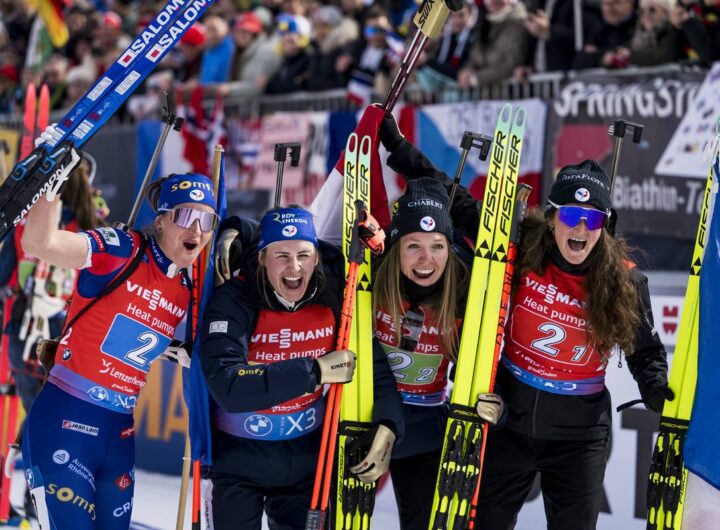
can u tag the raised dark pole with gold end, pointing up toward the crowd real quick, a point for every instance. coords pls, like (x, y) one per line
(429, 19)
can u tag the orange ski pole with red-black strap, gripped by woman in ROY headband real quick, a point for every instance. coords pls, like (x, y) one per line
(366, 232)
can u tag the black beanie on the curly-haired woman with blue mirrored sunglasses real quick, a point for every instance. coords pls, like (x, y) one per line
(585, 182)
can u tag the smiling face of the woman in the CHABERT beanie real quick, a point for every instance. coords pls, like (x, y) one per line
(423, 257)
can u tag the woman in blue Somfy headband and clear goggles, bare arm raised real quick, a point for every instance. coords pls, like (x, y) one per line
(78, 446)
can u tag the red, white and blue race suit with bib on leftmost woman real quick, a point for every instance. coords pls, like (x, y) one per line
(78, 446)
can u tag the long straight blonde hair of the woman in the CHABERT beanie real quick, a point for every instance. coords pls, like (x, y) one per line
(387, 295)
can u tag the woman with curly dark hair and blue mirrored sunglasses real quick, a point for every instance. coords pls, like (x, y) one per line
(576, 299)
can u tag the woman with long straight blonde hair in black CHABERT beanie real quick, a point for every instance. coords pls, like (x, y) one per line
(419, 303)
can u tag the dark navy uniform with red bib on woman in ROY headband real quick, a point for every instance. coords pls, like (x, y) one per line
(258, 360)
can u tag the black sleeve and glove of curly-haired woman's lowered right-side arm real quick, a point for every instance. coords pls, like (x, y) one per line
(648, 363)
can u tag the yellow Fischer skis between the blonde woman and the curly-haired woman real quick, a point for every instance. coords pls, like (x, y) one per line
(461, 460)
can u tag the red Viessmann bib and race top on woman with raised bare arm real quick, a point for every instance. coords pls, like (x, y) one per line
(105, 356)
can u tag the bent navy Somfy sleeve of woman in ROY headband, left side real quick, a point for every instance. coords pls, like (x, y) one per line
(235, 384)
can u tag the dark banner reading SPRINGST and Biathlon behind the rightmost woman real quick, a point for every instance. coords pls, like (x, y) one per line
(647, 203)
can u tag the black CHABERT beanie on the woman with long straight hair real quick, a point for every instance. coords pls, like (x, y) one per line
(422, 208)
